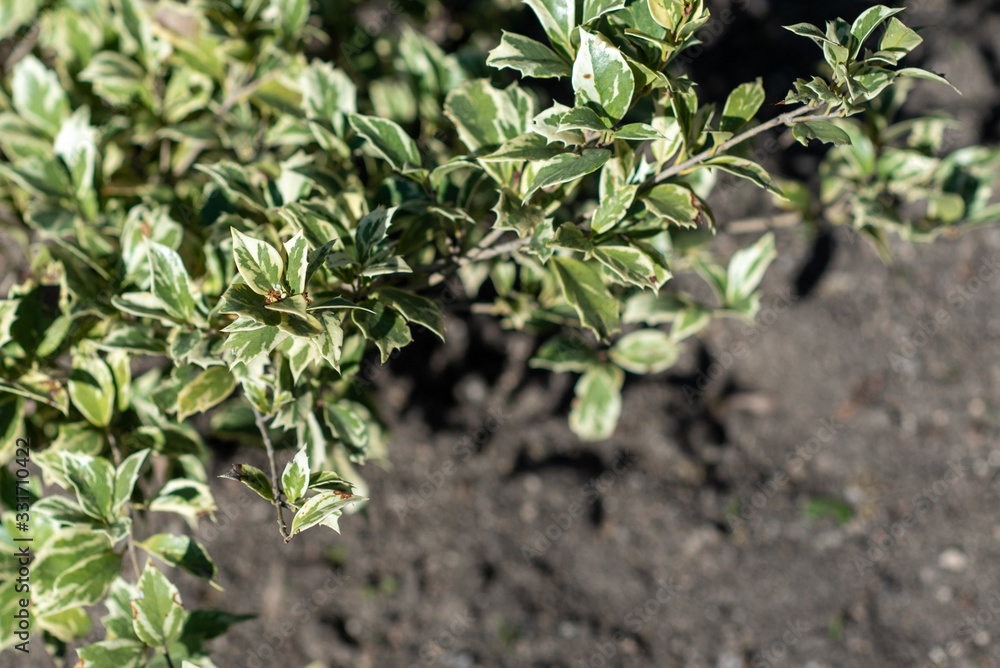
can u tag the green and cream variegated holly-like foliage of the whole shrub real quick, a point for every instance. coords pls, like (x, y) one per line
(222, 230)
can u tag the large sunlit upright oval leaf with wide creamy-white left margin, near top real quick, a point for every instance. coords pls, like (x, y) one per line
(602, 79)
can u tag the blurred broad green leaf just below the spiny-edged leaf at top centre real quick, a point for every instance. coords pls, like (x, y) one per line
(486, 117)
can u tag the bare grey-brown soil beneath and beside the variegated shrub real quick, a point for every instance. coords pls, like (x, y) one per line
(855, 427)
